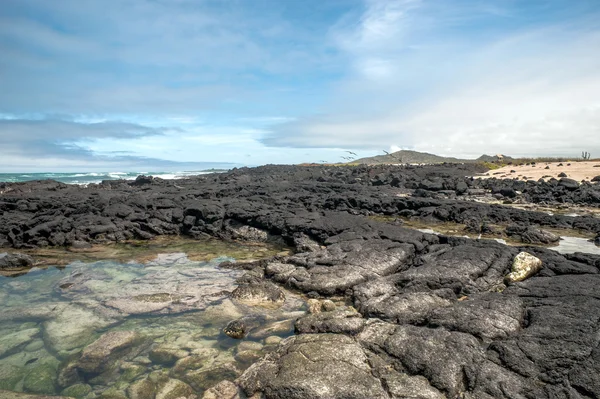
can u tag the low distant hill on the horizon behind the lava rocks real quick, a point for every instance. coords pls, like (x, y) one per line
(407, 156)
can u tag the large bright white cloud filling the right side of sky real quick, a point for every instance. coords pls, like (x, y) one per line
(529, 91)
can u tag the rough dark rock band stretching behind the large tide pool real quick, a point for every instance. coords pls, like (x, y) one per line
(259, 203)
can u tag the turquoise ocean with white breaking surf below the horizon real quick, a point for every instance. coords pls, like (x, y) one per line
(97, 177)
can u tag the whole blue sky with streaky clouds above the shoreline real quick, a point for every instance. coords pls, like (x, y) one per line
(90, 85)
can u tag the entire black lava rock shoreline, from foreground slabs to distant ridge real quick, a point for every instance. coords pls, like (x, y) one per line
(426, 316)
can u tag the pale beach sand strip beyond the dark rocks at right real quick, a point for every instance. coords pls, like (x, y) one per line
(580, 171)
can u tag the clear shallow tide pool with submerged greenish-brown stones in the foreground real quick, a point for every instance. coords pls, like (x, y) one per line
(175, 307)
